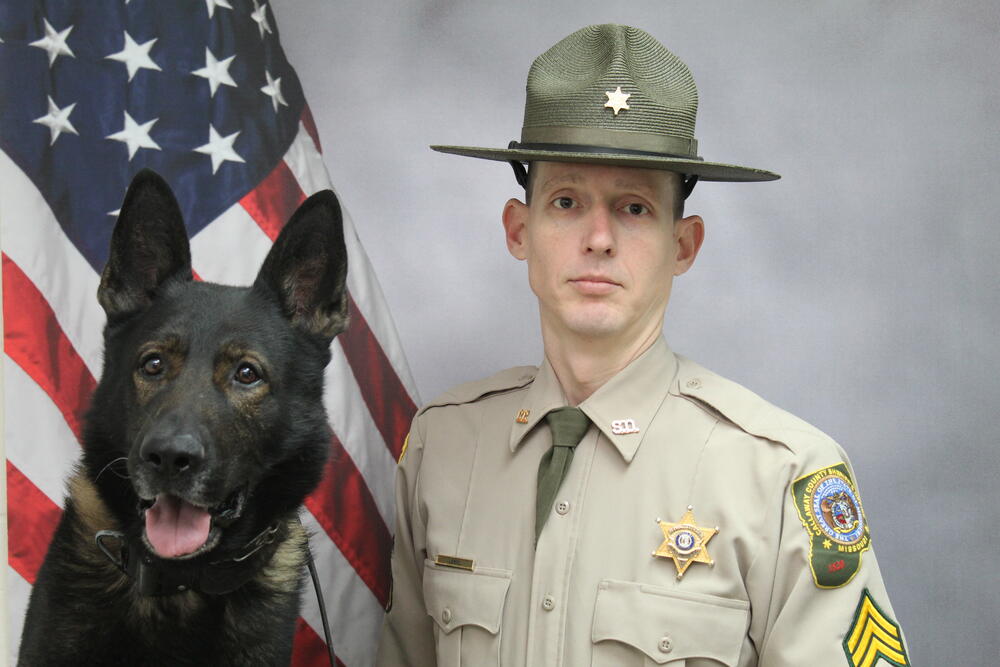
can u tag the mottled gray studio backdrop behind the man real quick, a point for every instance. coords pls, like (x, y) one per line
(859, 292)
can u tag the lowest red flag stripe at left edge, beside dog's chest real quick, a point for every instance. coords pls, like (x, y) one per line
(31, 520)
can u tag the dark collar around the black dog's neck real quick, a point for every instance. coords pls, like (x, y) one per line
(155, 577)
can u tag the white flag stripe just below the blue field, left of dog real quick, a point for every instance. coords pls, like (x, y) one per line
(33, 240)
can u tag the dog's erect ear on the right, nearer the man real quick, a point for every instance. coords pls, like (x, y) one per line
(306, 268)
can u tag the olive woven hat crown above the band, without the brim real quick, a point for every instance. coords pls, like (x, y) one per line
(569, 85)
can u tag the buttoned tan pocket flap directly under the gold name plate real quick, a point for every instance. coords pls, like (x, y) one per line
(454, 598)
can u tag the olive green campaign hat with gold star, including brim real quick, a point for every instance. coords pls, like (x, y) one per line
(612, 94)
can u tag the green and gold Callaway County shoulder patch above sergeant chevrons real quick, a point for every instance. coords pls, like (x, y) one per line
(830, 509)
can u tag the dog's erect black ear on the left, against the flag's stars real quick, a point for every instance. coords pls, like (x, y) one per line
(149, 246)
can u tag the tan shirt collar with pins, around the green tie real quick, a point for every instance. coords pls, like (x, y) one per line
(623, 408)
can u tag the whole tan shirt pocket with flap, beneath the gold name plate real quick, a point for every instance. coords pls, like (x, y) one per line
(467, 608)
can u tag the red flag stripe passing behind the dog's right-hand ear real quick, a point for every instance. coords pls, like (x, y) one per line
(271, 204)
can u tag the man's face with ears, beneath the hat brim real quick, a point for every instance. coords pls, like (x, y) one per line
(602, 248)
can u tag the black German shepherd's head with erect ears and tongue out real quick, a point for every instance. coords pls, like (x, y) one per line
(208, 422)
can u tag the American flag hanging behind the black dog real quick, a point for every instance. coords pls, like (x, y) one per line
(201, 92)
